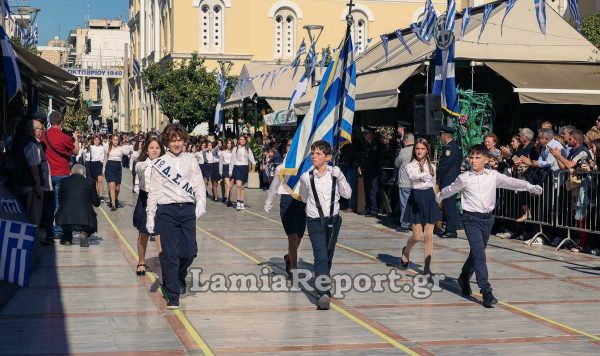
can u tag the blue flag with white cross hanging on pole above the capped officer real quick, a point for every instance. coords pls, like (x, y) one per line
(445, 82)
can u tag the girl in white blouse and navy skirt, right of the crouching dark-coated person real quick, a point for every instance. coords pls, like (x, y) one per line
(113, 168)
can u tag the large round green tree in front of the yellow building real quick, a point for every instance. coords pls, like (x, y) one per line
(186, 91)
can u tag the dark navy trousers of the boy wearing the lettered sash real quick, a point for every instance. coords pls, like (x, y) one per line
(176, 224)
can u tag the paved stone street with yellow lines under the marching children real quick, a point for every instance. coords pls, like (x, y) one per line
(86, 301)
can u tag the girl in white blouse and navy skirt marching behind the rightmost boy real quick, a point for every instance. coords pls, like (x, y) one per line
(422, 210)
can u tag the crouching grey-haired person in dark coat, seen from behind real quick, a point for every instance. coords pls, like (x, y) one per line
(78, 197)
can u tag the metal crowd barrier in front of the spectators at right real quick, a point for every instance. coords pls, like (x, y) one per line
(566, 203)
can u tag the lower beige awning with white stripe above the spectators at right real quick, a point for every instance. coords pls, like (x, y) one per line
(550, 83)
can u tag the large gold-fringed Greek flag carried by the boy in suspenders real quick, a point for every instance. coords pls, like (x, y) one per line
(322, 120)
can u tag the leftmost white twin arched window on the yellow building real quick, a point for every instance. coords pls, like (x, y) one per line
(212, 24)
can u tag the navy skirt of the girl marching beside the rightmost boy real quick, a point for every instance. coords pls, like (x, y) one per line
(422, 207)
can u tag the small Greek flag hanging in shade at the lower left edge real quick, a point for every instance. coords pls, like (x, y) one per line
(16, 244)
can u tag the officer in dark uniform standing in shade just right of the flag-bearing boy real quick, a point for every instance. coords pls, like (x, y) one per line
(369, 169)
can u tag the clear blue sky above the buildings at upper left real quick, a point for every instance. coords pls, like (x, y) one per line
(69, 13)
